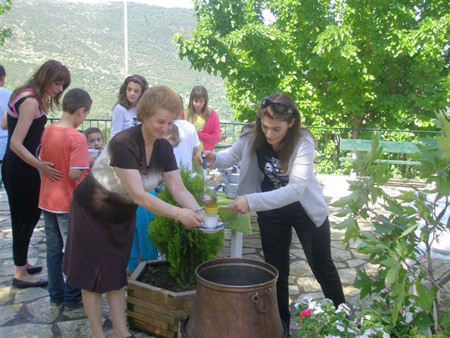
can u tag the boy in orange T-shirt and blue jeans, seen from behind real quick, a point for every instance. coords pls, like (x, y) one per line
(67, 149)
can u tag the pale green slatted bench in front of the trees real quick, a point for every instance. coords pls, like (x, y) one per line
(389, 147)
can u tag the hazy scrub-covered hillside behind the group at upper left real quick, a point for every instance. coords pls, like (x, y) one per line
(88, 38)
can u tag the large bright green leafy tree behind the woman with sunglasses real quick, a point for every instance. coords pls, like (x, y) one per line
(346, 62)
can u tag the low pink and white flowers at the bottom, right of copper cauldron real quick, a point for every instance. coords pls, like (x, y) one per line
(316, 318)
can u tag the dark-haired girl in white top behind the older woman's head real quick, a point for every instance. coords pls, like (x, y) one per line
(124, 113)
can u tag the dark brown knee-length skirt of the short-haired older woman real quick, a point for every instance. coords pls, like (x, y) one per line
(97, 251)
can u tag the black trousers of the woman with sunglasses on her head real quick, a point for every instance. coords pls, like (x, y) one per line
(276, 236)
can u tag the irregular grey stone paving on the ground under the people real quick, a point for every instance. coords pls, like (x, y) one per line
(28, 313)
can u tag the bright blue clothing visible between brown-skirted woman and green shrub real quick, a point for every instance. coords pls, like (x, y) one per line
(141, 243)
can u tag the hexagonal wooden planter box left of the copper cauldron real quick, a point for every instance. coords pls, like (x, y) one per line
(155, 310)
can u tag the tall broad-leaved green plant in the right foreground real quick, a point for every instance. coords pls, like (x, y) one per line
(407, 284)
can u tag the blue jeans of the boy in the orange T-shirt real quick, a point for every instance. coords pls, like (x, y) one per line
(56, 236)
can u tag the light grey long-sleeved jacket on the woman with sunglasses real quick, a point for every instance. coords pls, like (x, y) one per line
(303, 185)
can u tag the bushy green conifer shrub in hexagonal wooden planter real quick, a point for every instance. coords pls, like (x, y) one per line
(159, 309)
